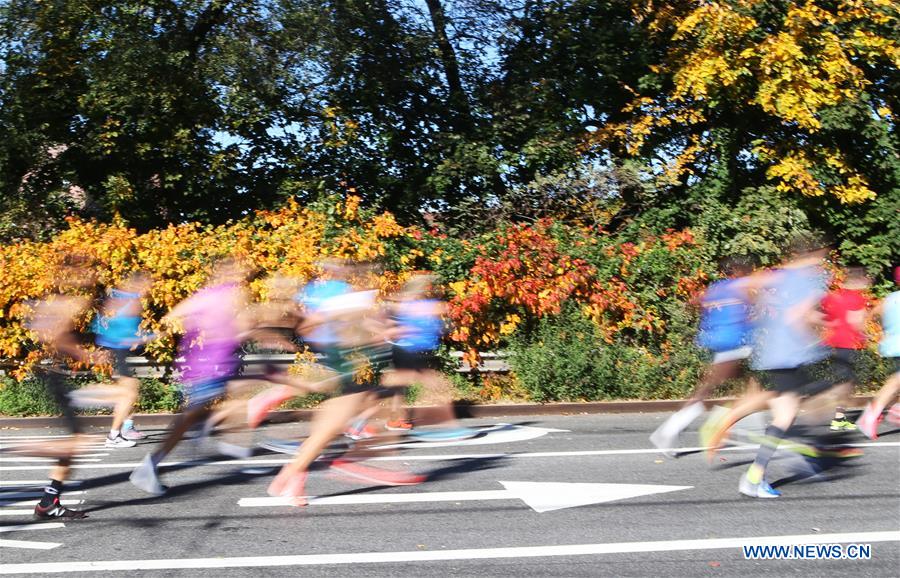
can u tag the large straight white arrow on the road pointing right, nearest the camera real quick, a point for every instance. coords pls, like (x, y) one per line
(540, 496)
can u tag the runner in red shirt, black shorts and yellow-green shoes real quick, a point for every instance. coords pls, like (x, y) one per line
(845, 320)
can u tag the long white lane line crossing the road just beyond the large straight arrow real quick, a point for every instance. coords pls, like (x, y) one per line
(429, 457)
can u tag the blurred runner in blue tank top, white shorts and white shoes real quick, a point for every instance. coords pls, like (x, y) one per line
(725, 331)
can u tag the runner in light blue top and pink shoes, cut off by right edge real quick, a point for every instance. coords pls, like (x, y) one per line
(889, 311)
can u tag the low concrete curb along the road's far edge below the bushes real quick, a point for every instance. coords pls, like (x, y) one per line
(462, 410)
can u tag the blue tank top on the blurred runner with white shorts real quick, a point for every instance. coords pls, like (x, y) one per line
(724, 323)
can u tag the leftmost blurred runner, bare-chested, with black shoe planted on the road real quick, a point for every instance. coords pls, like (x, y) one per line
(54, 326)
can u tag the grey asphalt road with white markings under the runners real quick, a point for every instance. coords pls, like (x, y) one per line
(463, 521)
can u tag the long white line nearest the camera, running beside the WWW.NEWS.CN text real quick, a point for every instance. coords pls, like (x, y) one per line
(445, 555)
